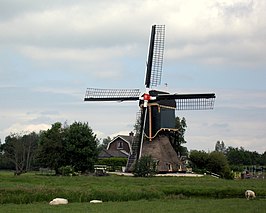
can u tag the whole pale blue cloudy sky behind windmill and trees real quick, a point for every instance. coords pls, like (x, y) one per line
(51, 51)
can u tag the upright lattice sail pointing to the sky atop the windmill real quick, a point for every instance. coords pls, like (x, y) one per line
(155, 57)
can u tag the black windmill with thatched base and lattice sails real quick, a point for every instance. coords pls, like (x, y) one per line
(157, 108)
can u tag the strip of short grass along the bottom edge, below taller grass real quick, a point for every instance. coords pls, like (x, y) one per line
(154, 206)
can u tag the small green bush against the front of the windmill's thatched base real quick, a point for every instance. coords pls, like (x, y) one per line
(145, 167)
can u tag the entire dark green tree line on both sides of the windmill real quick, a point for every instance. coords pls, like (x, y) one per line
(76, 147)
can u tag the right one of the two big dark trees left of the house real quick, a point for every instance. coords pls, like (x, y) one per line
(81, 147)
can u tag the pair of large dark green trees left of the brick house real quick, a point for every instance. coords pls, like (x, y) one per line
(74, 145)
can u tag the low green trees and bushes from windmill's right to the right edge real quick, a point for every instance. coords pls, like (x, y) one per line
(223, 160)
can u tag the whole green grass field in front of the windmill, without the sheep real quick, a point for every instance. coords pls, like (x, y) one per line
(31, 193)
